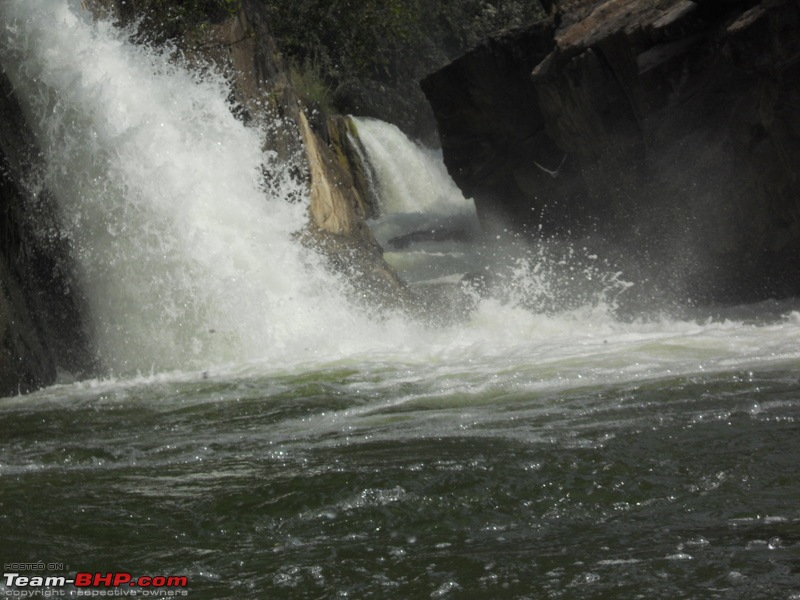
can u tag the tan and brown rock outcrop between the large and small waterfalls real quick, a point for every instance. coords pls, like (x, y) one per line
(318, 147)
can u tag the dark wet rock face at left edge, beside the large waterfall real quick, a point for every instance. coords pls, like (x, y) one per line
(41, 311)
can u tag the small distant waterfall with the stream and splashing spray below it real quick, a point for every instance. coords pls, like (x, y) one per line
(432, 235)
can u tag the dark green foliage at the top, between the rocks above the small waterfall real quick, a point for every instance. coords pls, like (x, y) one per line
(383, 47)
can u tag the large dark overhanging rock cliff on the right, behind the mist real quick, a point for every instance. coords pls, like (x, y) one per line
(668, 127)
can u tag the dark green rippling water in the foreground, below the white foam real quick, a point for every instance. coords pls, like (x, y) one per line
(376, 482)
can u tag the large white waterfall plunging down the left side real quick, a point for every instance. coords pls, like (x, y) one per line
(184, 257)
